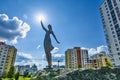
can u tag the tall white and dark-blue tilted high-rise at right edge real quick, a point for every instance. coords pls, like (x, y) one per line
(110, 14)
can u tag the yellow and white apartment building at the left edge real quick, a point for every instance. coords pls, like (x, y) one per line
(7, 57)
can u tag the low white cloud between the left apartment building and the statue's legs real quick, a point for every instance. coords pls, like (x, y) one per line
(27, 59)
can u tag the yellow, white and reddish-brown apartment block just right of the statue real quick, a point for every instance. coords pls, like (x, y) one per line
(76, 58)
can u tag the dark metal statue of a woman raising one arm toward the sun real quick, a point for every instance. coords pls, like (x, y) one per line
(48, 47)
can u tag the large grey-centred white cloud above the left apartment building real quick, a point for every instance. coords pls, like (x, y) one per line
(15, 27)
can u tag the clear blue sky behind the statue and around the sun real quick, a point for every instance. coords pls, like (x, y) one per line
(74, 22)
